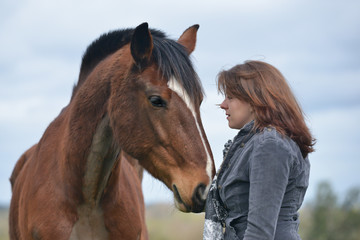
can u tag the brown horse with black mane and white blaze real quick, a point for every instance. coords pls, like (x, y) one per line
(135, 105)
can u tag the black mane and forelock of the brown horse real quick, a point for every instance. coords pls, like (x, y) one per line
(171, 58)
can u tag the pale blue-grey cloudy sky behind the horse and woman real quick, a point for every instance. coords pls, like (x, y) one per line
(315, 44)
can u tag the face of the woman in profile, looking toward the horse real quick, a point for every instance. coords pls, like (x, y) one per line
(238, 112)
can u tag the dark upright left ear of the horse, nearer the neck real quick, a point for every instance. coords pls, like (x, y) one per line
(141, 44)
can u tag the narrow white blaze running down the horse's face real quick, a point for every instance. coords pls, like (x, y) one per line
(174, 85)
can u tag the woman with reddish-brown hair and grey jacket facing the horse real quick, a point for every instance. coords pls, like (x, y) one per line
(261, 183)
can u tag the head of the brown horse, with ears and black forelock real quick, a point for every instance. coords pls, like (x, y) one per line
(155, 114)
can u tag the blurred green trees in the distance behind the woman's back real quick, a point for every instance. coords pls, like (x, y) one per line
(329, 218)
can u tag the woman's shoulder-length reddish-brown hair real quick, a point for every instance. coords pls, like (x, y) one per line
(274, 104)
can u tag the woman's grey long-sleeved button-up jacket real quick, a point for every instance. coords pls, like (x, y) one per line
(260, 187)
